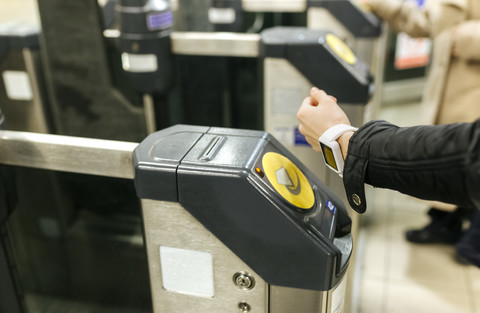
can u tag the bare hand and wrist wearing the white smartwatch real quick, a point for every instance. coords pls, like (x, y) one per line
(318, 113)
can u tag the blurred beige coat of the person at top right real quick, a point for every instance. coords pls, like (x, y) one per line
(452, 93)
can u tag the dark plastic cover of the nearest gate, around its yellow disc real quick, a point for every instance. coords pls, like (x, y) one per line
(216, 182)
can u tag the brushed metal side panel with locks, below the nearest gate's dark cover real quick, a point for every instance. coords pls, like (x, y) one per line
(169, 224)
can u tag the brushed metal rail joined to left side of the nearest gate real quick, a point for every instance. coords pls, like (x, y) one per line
(67, 153)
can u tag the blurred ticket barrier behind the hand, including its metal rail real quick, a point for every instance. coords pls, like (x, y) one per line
(293, 60)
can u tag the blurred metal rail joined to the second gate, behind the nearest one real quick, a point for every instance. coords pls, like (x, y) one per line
(216, 44)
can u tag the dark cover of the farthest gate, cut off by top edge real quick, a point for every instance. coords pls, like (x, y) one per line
(358, 21)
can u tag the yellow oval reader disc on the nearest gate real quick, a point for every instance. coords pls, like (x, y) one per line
(288, 180)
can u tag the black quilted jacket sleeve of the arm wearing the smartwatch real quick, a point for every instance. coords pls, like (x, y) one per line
(439, 162)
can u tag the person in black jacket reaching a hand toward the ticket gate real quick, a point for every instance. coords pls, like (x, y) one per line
(435, 162)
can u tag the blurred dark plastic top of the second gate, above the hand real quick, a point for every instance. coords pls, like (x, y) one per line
(309, 51)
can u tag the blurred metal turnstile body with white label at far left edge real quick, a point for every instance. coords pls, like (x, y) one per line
(22, 92)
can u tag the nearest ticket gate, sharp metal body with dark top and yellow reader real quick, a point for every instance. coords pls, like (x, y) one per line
(235, 223)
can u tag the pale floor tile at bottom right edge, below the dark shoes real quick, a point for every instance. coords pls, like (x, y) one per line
(414, 298)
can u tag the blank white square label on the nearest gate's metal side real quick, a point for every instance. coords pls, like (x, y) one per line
(187, 271)
